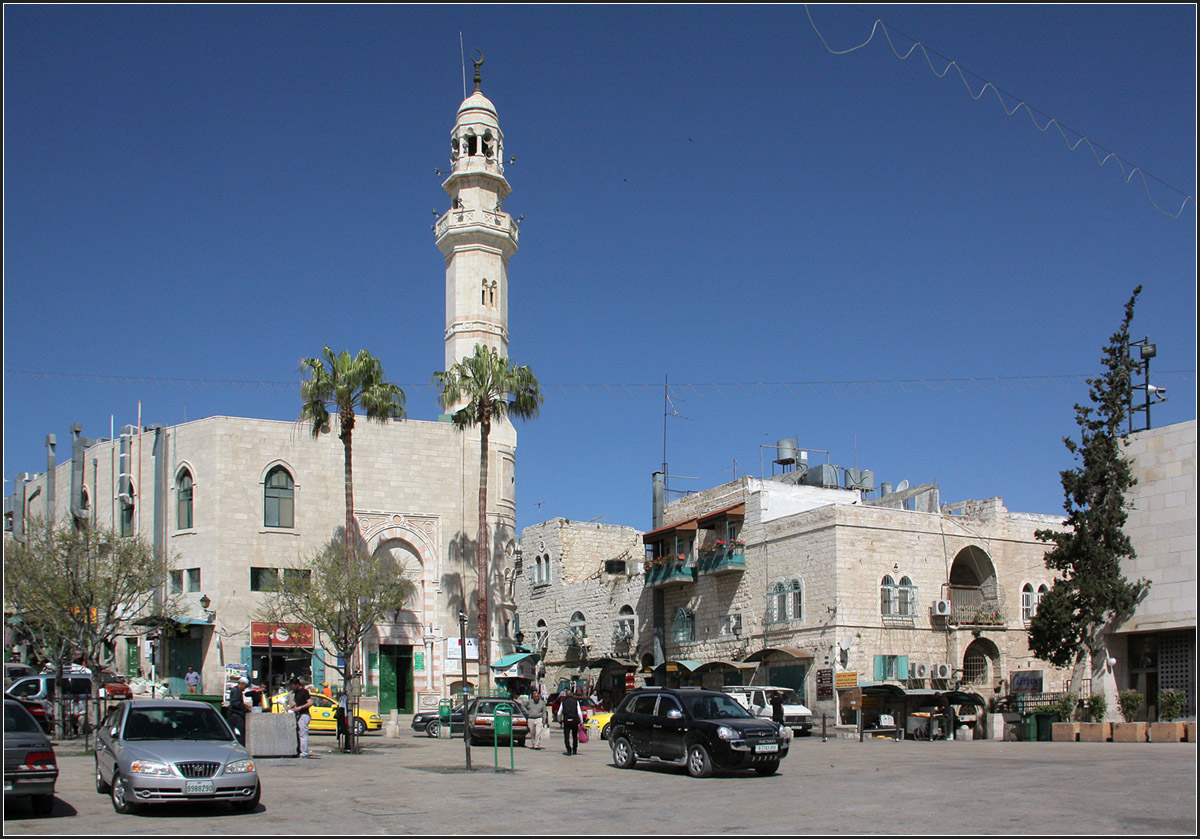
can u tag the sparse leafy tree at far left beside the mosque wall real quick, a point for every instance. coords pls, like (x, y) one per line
(75, 589)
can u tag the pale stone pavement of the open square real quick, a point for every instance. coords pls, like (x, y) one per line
(419, 786)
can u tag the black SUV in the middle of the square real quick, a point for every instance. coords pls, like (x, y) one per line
(699, 729)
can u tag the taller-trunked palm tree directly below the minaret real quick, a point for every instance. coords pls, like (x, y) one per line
(493, 388)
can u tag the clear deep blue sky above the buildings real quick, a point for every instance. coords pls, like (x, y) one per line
(196, 197)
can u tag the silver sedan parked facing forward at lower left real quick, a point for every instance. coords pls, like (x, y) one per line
(157, 752)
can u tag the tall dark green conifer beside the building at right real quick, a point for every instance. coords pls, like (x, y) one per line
(1091, 595)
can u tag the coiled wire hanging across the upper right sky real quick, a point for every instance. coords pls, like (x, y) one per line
(1049, 121)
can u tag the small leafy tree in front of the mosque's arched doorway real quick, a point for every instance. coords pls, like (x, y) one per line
(343, 591)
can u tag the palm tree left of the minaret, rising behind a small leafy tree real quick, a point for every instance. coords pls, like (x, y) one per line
(345, 385)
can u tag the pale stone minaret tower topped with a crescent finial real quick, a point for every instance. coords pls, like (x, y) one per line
(476, 236)
